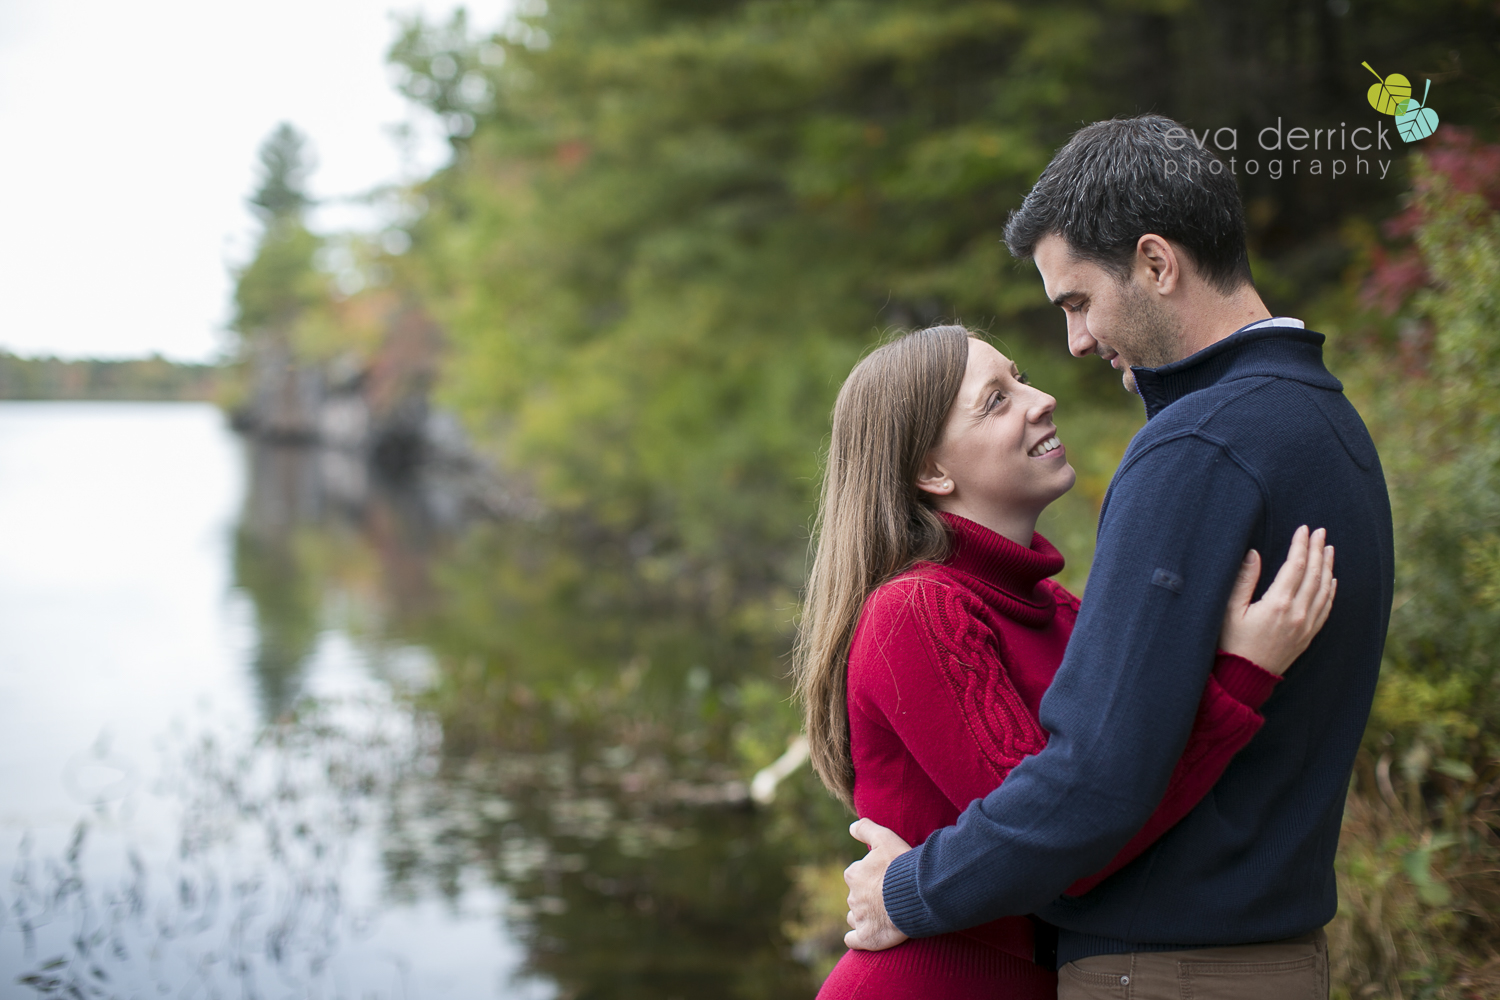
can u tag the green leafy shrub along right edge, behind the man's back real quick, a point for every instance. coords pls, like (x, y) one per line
(1420, 867)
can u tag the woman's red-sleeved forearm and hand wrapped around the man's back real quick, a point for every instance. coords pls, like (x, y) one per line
(1277, 630)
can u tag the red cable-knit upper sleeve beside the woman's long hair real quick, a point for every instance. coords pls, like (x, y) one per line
(925, 668)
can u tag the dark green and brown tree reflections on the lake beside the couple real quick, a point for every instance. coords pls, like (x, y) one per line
(598, 708)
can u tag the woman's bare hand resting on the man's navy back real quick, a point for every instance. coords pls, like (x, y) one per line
(1277, 629)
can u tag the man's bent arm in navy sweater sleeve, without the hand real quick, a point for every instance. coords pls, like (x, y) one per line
(1120, 711)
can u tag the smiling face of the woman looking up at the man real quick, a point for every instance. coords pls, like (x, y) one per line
(1000, 458)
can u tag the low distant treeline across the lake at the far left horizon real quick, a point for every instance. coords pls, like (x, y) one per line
(136, 379)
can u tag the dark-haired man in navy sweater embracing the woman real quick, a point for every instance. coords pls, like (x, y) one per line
(1139, 236)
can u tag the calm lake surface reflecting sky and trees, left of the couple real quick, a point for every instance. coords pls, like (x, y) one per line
(272, 728)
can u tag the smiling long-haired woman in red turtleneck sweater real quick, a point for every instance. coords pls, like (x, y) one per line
(932, 632)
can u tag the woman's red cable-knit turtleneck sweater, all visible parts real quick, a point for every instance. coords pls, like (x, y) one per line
(947, 672)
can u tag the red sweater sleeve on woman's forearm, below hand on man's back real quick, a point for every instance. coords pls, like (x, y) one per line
(1228, 720)
